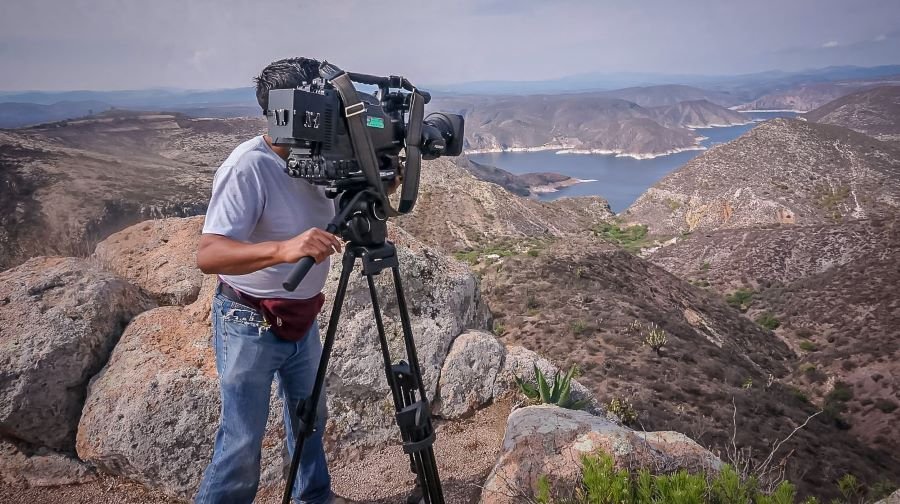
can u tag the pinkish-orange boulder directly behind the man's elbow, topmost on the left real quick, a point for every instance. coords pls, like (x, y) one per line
(159, 256)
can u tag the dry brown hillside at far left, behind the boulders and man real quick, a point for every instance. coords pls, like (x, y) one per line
(66, 185)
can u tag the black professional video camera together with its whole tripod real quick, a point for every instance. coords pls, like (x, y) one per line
(350, 142)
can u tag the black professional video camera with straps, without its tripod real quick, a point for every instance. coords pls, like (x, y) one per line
(331, 129)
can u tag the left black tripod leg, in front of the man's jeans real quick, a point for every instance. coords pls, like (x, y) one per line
(307, 409)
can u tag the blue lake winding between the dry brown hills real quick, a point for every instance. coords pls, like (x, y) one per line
(618, 179)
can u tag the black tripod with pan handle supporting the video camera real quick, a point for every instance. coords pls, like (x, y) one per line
(358, 224)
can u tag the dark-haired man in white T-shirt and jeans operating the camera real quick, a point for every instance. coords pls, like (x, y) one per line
(259, 223)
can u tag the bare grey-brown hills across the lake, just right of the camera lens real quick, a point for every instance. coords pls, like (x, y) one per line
(581, 123)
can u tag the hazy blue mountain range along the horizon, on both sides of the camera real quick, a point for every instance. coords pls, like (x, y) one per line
(644, 89)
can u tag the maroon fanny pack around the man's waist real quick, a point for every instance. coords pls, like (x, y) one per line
(290, 319)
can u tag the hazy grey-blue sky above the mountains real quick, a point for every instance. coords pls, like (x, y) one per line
(206, 44)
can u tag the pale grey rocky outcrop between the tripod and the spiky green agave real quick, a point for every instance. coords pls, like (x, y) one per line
(480, 369)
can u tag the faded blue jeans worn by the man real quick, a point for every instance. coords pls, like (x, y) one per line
(248, 357)
